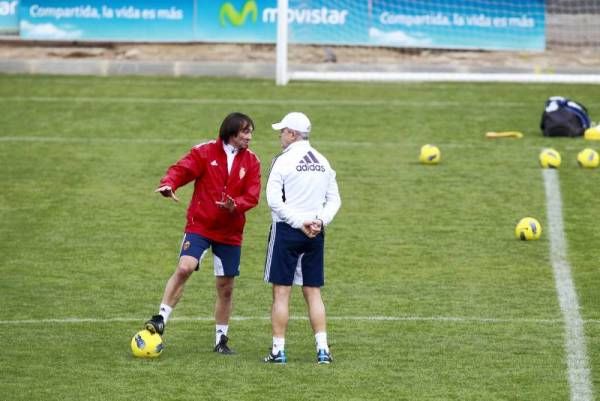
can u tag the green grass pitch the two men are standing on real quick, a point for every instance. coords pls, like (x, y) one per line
(428, 293)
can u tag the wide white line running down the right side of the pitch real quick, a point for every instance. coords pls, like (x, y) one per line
(575, 343)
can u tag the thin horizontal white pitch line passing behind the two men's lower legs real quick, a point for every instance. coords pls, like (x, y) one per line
(439, 319)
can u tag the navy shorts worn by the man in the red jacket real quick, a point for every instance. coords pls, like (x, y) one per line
(226, 257)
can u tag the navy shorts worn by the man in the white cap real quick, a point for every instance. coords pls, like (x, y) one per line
(293, 258)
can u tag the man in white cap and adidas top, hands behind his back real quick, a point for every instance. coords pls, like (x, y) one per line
(303, 196)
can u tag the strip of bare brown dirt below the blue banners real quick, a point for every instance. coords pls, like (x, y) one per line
(560, 58)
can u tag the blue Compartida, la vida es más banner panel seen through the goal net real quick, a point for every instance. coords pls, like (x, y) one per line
(468, 24)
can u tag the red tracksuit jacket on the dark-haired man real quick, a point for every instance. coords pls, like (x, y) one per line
(207, 165)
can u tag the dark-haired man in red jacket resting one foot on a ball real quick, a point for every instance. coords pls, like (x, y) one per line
(227, 184)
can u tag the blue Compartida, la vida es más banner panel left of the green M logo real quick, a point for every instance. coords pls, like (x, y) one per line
(114, 20)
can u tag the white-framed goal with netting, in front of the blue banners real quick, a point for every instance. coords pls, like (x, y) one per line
(439, 40)
